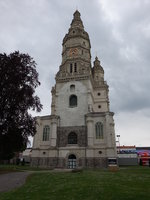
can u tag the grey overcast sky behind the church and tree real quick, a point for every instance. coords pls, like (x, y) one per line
(119, 32)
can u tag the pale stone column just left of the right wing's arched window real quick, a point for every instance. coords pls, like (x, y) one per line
(90, 131)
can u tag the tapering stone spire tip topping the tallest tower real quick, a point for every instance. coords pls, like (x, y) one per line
(77, 22)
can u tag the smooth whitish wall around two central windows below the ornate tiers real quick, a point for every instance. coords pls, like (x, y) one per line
(73, 116)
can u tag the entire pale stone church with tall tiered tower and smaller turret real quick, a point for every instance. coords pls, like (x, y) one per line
(80, 130)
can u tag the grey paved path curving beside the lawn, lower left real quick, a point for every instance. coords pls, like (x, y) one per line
(12, 180)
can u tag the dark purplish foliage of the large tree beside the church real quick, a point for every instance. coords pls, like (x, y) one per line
(18, 81)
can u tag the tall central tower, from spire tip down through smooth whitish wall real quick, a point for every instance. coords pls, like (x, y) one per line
(74, 78)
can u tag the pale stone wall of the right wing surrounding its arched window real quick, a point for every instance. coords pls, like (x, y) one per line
(108, 135)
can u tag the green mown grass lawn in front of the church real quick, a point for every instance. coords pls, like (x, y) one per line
(130, 183)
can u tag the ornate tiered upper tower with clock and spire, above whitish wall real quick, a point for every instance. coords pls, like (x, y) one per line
(76, 55)
